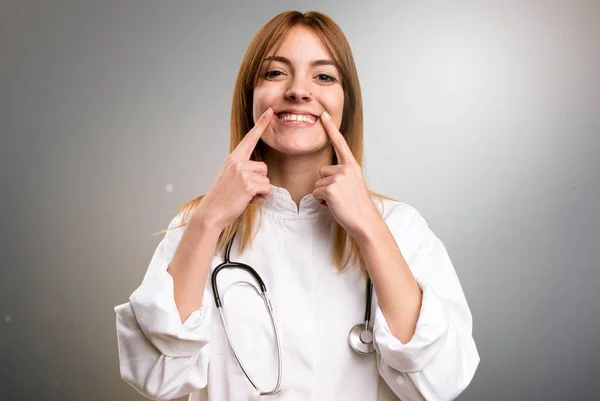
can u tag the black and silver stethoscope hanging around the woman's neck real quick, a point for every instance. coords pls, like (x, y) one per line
(360, 337)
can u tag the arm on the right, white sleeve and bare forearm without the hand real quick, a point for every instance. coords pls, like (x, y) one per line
(423, 325)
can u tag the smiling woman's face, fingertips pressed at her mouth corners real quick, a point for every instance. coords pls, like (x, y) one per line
(299, 81)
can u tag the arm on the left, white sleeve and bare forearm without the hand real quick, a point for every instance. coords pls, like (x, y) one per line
(163, 331)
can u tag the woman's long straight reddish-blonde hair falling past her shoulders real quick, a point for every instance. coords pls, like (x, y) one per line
(345, 249)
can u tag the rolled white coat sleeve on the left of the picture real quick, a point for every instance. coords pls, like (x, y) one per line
(160, 356)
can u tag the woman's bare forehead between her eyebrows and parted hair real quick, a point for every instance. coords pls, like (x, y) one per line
(301, 44)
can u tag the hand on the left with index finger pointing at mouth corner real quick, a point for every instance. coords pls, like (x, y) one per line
(240, 181)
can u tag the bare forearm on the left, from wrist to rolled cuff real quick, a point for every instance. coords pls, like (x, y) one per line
(191, 263)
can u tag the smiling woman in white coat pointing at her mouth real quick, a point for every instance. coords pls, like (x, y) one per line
(292, 189)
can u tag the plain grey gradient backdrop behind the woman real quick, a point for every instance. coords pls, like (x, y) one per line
(485, 117)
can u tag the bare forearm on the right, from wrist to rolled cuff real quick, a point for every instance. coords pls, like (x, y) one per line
(398, 293)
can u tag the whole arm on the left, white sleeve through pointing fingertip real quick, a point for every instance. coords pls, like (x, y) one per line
(163, 330)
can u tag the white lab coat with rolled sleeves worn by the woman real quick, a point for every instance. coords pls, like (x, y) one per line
(315, 307)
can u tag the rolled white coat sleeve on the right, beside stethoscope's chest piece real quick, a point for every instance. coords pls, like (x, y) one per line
(441, 358)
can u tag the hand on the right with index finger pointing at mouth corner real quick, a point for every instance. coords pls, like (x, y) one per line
(342, 187)
